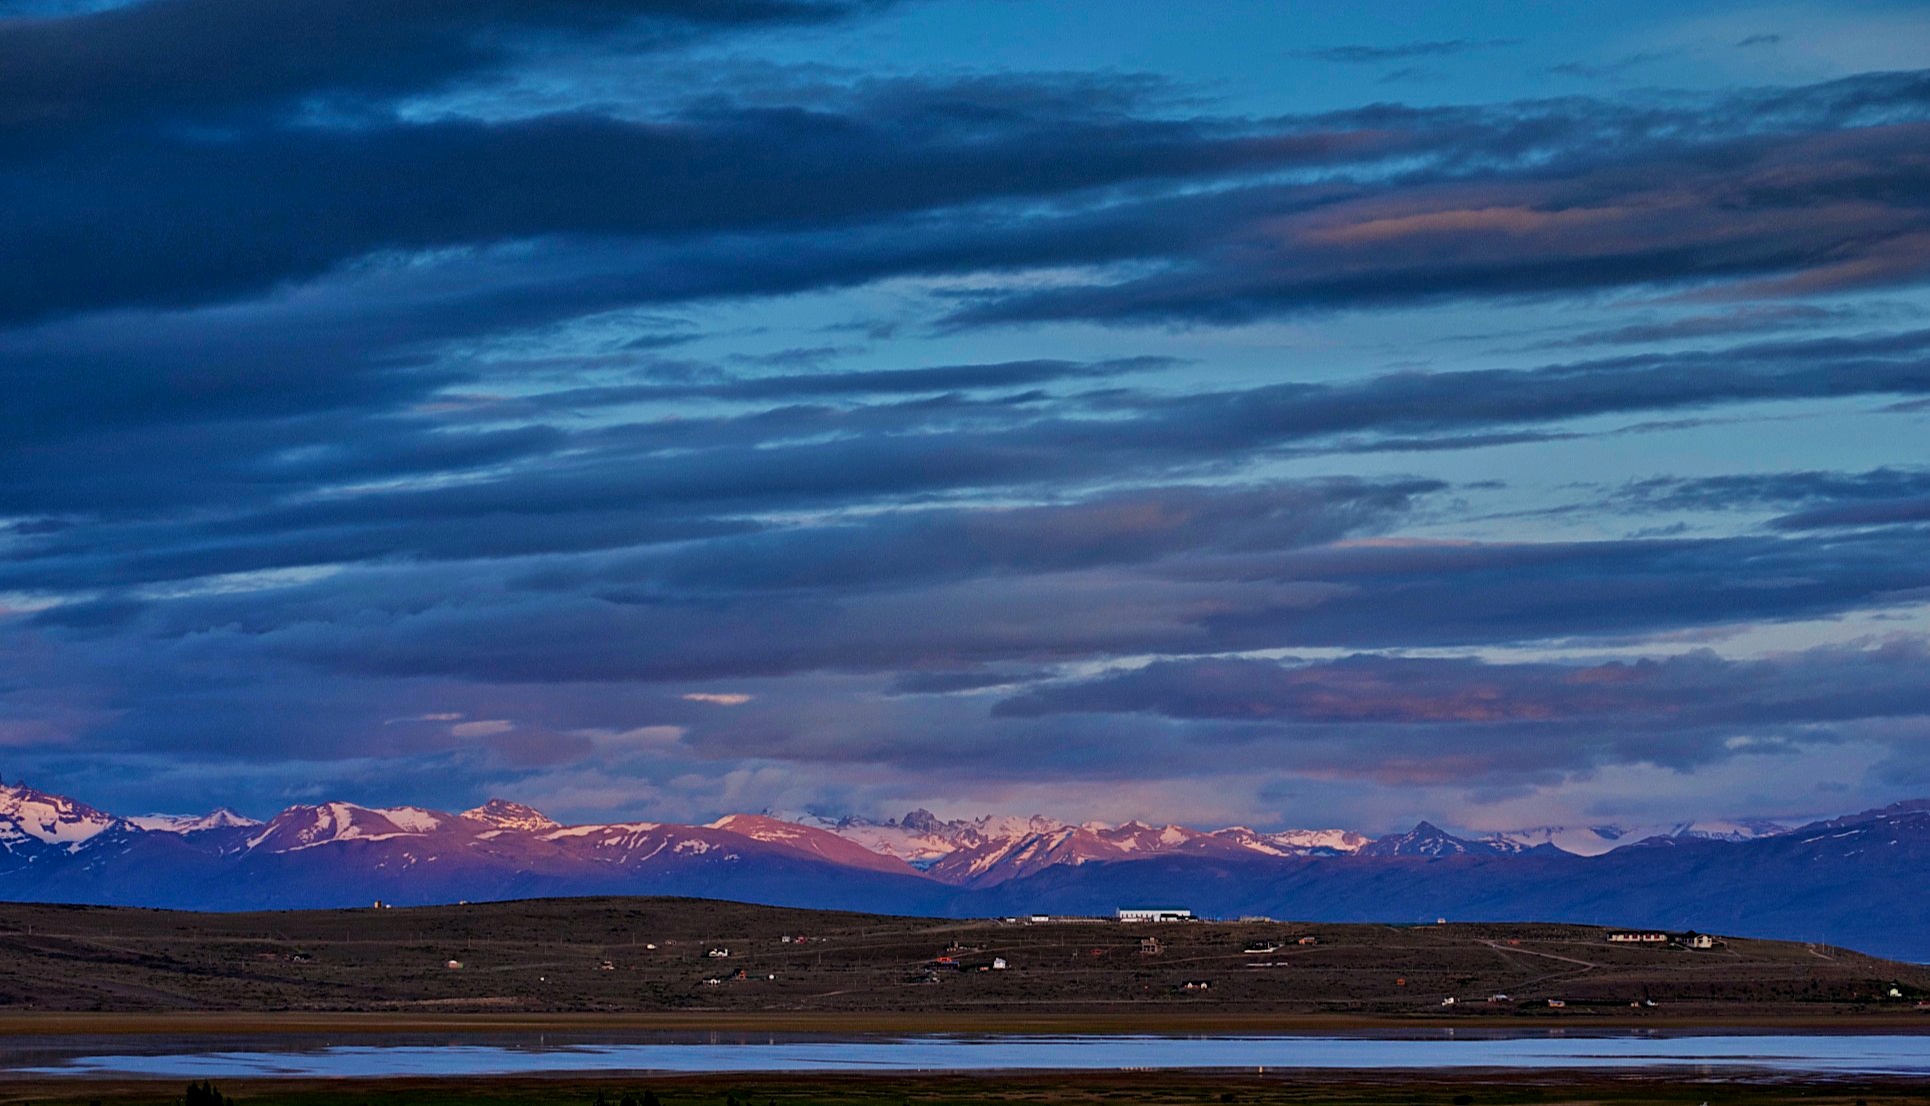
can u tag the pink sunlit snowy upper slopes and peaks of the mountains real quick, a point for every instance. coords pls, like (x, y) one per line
(507, 844)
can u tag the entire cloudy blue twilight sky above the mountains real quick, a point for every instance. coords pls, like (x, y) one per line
(1265, 412)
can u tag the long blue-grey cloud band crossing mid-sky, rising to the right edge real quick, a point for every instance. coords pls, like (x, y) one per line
(545, 489)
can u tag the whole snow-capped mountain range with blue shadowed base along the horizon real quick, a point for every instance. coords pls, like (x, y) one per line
(1842, 881)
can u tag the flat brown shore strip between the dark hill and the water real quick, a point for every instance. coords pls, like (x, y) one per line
(275, 1024)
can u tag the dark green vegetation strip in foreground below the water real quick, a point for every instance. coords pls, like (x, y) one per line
(1068, 1090)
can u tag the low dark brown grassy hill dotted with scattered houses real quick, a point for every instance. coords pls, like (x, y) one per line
(640, 962)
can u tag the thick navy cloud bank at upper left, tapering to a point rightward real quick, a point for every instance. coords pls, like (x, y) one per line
(169, 219)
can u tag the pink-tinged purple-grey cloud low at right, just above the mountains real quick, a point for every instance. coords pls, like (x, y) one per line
(1466, 717)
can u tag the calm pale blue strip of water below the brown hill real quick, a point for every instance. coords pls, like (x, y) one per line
(265, 1059)
